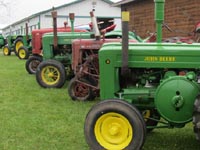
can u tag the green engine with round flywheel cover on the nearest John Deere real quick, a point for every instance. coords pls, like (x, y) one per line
(171, 91)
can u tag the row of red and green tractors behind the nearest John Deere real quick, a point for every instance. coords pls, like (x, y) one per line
(59, 53)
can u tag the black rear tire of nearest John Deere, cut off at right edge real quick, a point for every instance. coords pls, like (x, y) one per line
(196, 117)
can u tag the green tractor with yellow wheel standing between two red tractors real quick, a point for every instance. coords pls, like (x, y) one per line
(57, 48)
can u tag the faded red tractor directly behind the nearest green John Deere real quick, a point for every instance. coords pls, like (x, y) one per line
(85, 64)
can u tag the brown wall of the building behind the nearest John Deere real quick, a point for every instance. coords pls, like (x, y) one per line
(180, 15)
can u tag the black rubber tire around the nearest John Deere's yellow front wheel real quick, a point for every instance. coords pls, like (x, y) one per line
(122, 108)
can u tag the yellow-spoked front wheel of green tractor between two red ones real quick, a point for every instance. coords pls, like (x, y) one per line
(55, 69)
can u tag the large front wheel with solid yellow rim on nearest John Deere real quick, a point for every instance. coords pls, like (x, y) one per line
(114, 124)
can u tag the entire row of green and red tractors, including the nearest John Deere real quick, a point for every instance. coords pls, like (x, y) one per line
(139, 80)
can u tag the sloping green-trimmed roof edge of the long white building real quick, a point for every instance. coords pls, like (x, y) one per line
(45, 11)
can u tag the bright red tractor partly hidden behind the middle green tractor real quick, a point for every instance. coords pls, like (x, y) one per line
(36, 54)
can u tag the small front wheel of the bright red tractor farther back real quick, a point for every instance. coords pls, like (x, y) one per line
(32, 63)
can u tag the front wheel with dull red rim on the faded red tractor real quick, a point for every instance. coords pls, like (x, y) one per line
(84, 92)
